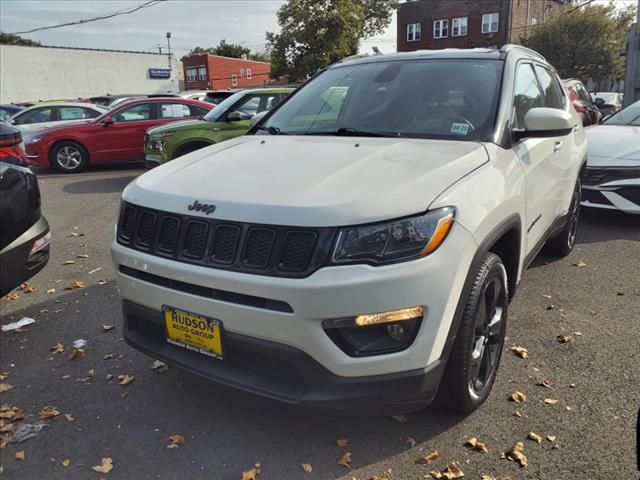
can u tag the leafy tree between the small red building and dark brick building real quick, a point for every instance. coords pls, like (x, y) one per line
(316, 33)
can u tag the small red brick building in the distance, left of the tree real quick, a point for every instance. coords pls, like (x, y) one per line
(209, 72)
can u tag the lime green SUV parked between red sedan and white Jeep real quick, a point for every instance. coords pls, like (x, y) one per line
(229, 119)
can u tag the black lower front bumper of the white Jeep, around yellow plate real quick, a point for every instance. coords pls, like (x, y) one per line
(282, 372)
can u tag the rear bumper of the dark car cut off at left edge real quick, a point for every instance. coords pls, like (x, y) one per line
(17, 264)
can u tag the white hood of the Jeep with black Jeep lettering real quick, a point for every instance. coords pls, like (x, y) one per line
(309, 181)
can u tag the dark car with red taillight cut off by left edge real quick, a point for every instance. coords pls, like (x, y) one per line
(24, 232)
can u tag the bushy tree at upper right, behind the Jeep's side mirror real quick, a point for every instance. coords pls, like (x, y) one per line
(584, 42)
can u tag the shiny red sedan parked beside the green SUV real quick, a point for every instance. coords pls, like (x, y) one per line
(116, 136)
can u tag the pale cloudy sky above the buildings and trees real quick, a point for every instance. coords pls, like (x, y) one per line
(191, 23)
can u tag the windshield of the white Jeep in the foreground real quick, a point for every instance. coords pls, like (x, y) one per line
(452, 99)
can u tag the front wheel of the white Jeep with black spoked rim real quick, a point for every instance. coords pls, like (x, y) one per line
(475, 355)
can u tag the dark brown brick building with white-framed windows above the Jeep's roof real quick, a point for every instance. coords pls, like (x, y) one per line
(435, 24)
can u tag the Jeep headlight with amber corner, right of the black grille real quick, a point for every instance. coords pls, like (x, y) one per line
(401, 239)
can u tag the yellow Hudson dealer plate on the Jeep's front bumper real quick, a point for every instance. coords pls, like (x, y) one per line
(194, 332)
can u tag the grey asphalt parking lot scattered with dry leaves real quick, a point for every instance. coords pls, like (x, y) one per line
(592, 298)
